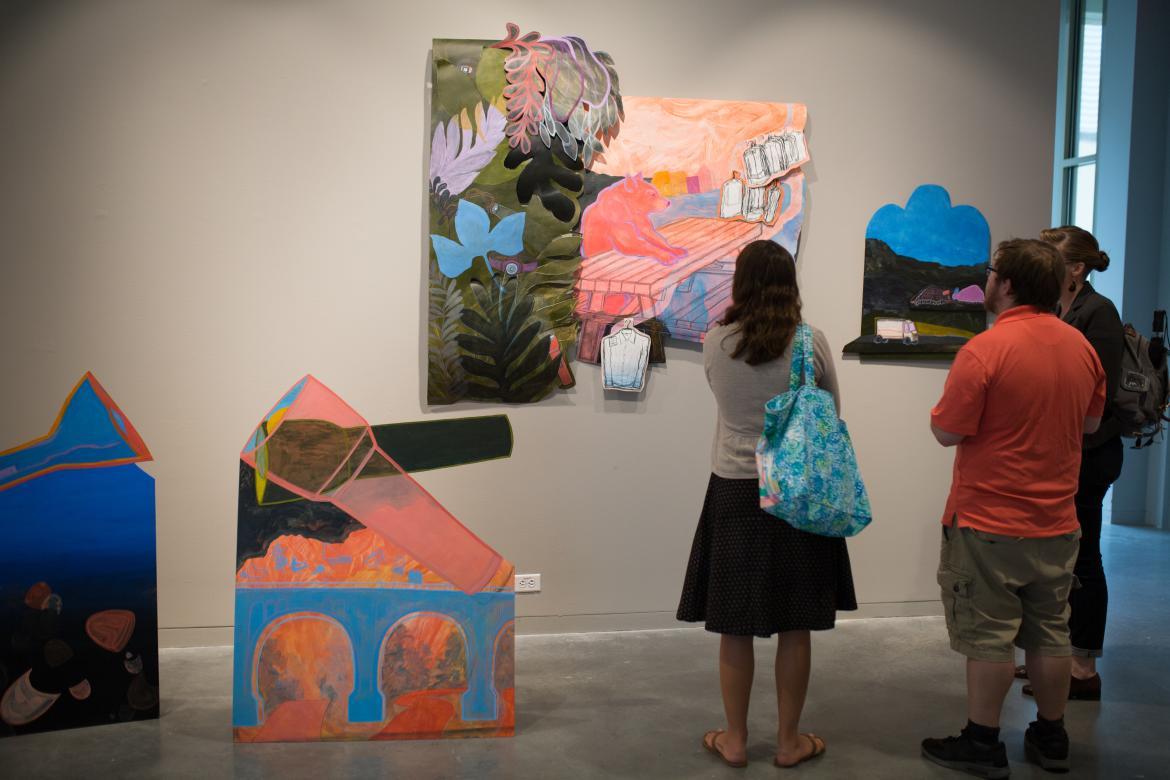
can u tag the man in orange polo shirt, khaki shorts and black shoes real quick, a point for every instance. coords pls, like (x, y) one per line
(1017, 403)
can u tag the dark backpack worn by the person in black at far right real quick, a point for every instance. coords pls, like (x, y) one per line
(1141, 403)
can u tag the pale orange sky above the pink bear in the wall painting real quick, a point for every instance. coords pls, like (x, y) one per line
(662, 134)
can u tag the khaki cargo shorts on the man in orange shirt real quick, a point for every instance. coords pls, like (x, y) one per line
(1002, 591)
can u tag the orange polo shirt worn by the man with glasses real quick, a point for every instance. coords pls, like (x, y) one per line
(1020, 392)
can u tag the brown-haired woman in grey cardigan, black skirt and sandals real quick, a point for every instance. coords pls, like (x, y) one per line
(753, 575)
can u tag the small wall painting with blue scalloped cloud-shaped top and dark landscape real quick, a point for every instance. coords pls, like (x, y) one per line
(925, 272)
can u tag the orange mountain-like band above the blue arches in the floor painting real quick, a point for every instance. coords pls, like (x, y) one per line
(363, 558)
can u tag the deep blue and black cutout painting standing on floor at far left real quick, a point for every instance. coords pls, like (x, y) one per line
(79, 626)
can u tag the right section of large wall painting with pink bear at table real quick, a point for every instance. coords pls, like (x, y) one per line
(678, 194)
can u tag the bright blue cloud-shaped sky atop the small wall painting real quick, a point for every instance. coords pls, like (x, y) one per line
(930, 229)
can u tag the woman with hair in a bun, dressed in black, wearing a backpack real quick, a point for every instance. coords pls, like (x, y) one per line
(1102, 457)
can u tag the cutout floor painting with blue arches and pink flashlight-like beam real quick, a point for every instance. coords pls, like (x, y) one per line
(364, 609)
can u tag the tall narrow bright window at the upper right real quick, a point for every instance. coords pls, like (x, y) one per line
(1079, 85)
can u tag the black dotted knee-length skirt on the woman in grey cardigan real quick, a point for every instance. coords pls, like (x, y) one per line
(752, 574)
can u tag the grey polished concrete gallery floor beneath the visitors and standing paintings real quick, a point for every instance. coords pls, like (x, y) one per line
(635, 706)
